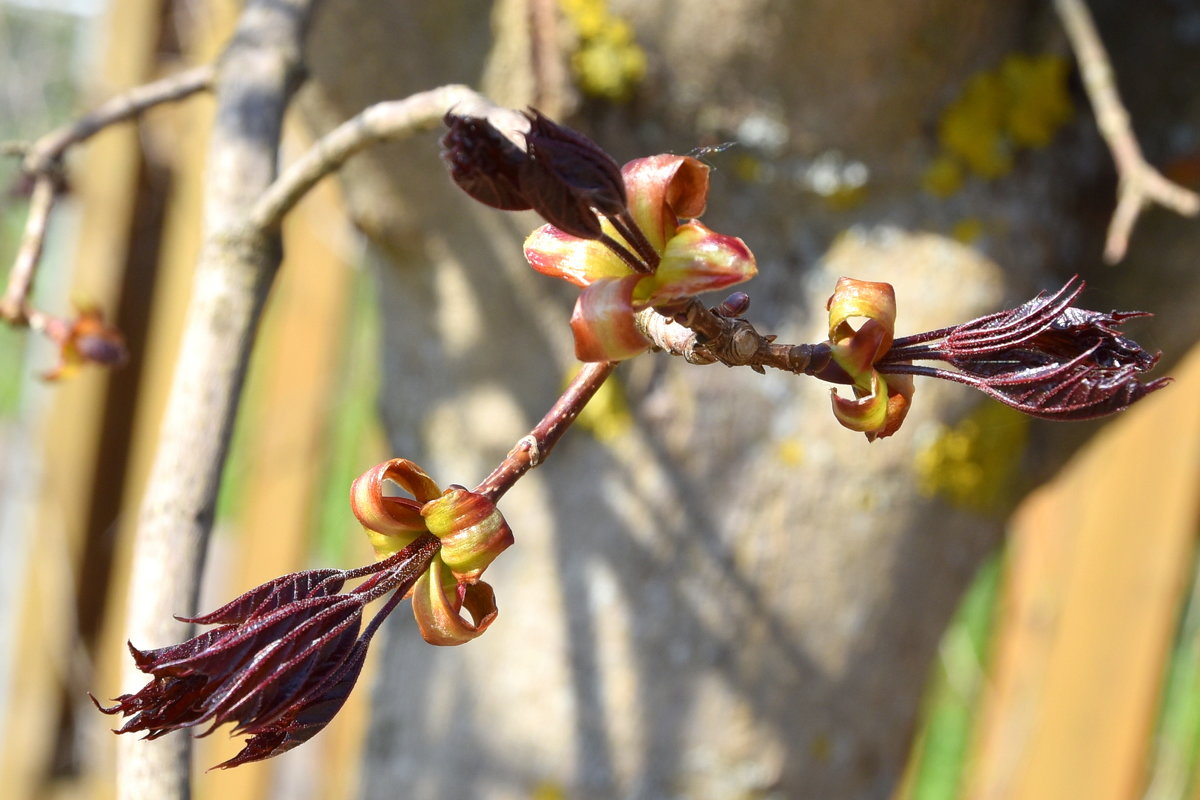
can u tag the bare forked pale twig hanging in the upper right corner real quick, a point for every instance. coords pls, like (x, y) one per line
(1141, 185)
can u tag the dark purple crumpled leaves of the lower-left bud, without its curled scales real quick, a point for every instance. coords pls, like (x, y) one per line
(281, 664)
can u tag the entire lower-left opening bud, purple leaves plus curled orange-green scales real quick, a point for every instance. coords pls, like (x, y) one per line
(287, 654)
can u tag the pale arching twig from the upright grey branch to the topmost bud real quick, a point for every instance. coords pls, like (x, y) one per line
(381, 123)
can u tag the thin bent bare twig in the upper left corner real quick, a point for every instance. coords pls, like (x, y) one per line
(43, 160)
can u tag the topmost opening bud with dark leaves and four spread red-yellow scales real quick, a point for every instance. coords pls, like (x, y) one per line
(622, 227)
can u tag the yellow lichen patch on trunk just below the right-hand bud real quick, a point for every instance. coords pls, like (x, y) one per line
(973, 464)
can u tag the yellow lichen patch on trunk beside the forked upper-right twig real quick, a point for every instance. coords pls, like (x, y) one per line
(1022, 104)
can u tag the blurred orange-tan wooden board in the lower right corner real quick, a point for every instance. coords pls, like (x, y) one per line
(1100, 562)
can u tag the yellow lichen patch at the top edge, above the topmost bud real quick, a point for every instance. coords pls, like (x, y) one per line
(608, 62)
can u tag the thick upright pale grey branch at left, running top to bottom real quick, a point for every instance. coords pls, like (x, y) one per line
(257, 76)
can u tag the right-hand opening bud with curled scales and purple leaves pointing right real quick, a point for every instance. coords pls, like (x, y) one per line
(1045, 358)
